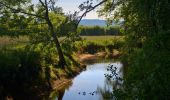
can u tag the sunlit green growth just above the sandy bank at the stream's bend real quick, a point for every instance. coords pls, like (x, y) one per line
(98, 43)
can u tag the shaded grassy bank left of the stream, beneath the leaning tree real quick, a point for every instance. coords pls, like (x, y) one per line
(33, 73)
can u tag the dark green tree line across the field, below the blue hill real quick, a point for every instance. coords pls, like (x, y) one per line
(97, 30)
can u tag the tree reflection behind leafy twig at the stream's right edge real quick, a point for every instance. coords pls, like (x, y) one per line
(113, 82)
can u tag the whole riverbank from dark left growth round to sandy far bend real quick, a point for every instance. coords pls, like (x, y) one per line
(33, 69)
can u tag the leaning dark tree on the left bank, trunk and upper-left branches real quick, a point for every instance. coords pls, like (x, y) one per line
(42, 13)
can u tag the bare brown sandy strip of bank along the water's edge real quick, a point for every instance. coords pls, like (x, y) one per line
(83, 59)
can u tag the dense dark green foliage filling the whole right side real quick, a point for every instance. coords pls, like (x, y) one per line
(146, 25)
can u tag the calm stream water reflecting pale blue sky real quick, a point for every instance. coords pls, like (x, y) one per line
(90, 84)
